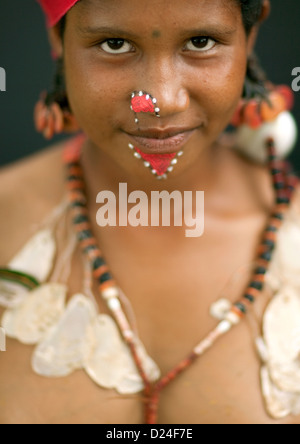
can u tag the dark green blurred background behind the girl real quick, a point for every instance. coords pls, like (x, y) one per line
(24, 54)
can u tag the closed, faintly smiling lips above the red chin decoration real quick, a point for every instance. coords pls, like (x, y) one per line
(155, 141)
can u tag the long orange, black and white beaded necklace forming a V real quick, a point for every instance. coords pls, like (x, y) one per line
(284, 183)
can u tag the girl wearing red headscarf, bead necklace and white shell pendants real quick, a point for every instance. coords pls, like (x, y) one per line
(152, 86)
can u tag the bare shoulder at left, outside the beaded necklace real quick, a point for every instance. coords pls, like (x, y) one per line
(29, 189)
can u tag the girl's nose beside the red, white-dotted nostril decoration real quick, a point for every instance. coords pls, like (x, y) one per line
(164, 81)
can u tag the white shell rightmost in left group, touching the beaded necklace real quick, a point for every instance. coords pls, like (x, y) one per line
(110, 363)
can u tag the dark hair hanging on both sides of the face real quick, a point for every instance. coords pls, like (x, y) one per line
(255, 82)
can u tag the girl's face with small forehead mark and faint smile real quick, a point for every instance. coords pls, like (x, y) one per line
(190, 55)
